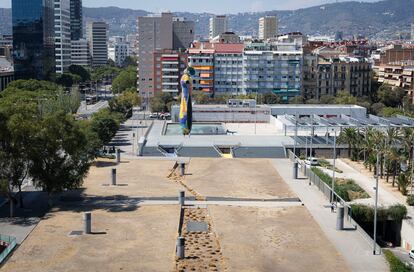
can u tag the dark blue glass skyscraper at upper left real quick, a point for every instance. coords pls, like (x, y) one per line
(33, 38)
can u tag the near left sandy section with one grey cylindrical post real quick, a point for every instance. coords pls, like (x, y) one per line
(141, 240)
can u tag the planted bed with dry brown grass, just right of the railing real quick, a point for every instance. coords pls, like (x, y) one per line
(347, 189)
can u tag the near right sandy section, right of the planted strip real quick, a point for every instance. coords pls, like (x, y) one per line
(273, 239)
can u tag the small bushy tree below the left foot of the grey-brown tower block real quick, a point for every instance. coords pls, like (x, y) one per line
(125, 102)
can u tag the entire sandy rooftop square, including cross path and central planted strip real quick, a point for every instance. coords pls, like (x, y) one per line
(135, 224)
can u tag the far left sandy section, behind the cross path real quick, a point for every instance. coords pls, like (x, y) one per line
(138, 178)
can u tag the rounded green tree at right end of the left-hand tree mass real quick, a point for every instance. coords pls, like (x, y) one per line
(105, 124)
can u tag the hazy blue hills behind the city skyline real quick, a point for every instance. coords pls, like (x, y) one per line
(387, 18)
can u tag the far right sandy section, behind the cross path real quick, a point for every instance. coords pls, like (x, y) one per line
(242, 178)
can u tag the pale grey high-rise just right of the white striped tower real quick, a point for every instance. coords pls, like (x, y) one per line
(97, 35)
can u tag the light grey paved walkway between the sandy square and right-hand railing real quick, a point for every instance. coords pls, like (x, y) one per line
(351, 244)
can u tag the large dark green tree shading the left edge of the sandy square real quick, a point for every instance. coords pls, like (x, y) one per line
(60, 158)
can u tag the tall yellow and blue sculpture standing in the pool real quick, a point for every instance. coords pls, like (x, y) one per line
(186, 110)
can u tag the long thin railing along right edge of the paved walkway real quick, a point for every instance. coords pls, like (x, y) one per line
(327, 192)
